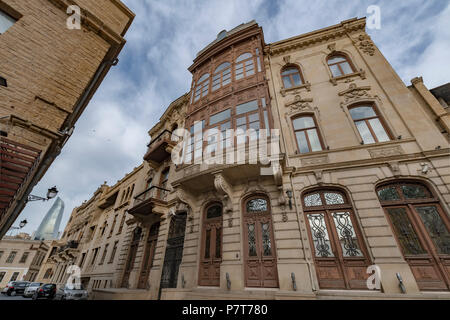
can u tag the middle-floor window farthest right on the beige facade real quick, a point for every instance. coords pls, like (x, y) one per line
(369, 124)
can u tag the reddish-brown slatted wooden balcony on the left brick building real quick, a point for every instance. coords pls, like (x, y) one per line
(17, 162)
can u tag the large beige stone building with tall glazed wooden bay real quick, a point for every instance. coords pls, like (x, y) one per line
(362, 181)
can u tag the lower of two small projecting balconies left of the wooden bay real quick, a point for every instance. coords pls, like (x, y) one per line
(150, 203)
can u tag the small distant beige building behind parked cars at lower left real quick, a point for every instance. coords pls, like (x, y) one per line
(20, 259)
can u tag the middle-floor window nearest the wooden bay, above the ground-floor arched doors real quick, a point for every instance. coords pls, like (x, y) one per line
(306, 134)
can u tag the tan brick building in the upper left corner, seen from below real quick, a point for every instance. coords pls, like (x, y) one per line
(48, 74)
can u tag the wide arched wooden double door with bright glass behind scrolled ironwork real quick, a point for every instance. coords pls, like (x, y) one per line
(335, 239)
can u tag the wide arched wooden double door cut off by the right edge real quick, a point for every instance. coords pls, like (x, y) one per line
(422, 231)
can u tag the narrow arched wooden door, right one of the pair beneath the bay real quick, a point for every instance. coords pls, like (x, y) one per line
(259, 245)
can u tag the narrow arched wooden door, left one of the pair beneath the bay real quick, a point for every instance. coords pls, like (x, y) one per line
(211, 249)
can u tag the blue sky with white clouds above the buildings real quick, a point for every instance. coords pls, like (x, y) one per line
(111, 136)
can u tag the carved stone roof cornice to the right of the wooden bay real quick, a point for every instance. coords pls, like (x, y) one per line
(333, 32)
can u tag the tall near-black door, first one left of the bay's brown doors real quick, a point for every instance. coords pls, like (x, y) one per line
(174, 251)
